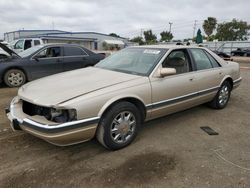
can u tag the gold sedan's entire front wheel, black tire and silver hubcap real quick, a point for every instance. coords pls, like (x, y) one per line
(119, 126)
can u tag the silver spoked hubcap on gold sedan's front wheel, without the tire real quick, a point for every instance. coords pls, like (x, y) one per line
(123, 127)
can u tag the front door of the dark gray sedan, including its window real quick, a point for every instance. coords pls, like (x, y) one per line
(46, 62)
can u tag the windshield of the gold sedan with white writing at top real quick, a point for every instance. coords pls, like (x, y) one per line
(140, 61)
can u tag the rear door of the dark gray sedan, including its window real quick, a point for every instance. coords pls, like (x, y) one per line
(75, 58)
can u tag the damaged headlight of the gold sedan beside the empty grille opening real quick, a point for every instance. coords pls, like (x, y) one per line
(62, 115)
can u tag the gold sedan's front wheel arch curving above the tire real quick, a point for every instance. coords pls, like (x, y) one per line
(132, 99)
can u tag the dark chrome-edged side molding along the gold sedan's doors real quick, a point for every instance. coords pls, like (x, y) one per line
(181, 98)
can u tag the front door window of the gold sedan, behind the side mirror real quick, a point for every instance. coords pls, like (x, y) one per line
(179, 60)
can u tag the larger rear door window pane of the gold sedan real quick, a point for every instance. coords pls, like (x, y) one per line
(201, 59)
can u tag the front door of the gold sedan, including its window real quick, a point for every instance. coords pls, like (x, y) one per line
(175, 92)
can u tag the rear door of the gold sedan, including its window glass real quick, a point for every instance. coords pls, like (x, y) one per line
(208, 73)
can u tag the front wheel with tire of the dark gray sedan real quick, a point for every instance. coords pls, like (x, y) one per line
(14, 78)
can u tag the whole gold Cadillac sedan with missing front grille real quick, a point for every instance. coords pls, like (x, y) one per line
(111, 100)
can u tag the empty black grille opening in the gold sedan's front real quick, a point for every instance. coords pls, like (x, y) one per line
(32, 109)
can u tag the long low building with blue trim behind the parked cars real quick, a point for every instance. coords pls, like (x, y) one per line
(91, 40)
